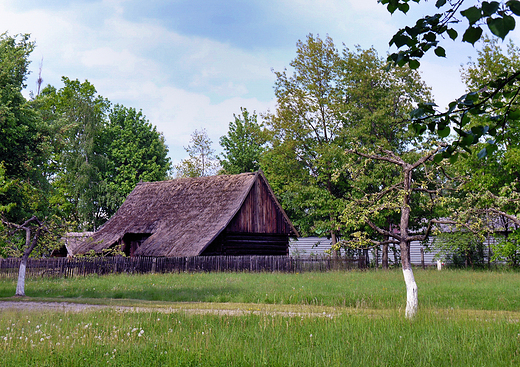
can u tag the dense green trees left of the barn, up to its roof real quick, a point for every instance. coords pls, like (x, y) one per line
(68, 155)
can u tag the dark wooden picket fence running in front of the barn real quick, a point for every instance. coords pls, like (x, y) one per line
(73, 267)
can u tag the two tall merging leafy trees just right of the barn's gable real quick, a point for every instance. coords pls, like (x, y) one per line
(330, 103)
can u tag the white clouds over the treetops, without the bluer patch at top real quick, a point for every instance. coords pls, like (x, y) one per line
(184, 82)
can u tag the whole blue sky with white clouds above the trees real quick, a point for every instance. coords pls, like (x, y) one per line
(192, 64)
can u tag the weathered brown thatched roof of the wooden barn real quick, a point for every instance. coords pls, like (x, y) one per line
(183, 216)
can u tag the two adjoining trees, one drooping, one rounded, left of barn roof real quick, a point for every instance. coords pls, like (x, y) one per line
(99, 153)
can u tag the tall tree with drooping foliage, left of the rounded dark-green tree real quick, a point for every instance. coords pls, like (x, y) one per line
(78, 114)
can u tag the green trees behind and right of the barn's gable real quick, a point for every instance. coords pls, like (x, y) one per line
(346, 161)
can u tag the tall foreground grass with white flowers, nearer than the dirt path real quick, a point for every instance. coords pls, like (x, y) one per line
(109, 338)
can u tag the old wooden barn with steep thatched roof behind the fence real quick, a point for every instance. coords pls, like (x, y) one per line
(217, 215)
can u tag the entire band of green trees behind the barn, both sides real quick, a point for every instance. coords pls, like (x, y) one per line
(340, 151)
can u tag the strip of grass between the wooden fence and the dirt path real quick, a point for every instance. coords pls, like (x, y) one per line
(458, 289)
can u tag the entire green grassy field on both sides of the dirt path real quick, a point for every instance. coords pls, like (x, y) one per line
(355, 318)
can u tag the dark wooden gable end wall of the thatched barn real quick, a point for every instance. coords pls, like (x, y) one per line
(260, 227)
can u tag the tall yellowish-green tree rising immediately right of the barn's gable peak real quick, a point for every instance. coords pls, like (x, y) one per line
(307, 145)
